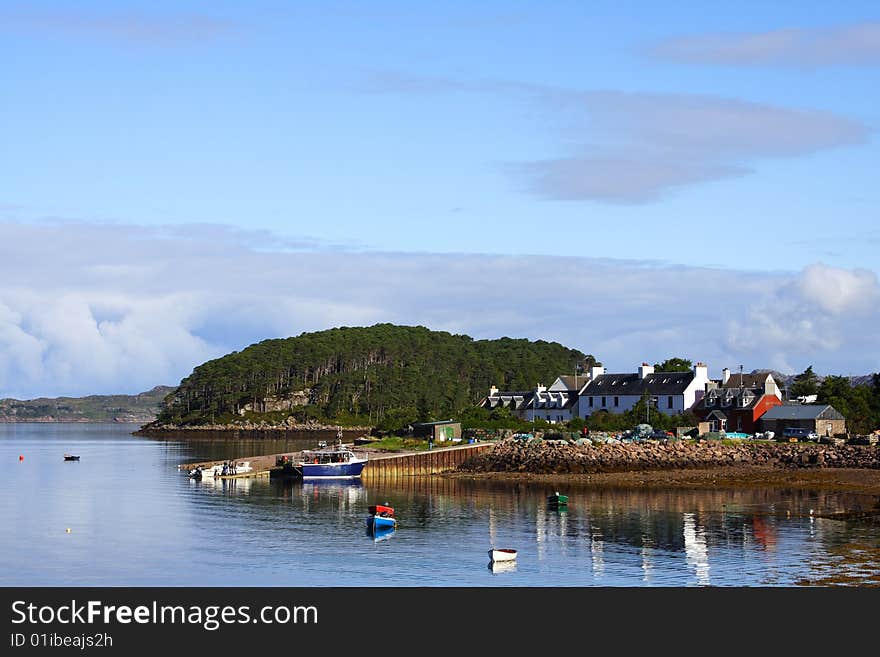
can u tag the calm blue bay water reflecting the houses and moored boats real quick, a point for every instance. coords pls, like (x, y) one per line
(135, 520)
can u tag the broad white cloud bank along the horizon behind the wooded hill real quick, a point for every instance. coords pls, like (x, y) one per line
(95, 309)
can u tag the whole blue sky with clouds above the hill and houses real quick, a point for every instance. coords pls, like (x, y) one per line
(544, 137)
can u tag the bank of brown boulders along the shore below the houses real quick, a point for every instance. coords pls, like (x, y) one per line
(549, 457)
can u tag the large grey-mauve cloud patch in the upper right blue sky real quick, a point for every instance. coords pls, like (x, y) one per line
(636, 147)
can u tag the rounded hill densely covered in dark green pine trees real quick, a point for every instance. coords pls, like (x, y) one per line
(362, 375)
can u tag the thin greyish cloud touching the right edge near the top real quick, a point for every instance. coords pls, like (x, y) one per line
(856, 44)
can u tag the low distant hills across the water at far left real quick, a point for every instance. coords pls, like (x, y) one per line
(140, 408)
